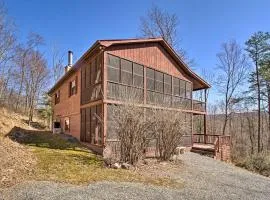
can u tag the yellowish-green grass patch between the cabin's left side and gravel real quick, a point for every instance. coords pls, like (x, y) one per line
(60, 160)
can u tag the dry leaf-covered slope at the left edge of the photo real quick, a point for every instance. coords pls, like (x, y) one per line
(16, 160)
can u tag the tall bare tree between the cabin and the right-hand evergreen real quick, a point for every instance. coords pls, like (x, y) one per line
(233, 69)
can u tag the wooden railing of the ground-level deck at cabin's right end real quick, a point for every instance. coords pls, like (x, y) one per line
(216, 140)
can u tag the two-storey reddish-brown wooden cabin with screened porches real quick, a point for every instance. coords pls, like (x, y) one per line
(82, 98)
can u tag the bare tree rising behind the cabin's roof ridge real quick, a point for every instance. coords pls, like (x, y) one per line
(160, 23)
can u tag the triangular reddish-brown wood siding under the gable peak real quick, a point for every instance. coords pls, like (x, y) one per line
(151, 55)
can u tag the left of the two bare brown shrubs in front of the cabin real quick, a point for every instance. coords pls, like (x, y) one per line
(132, 130)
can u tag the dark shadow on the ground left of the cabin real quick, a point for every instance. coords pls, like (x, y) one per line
(44, 139)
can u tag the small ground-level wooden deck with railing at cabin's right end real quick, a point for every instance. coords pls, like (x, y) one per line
(215, 146)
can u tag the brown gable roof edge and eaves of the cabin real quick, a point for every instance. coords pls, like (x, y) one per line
(103, 44)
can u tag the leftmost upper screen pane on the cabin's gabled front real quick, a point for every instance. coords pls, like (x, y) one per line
(113, 69)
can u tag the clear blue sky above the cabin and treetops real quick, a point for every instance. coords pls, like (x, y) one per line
(76, 25)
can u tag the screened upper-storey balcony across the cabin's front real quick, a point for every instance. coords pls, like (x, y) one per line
(129, 81)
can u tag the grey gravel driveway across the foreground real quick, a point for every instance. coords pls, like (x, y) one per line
(203, 177)
